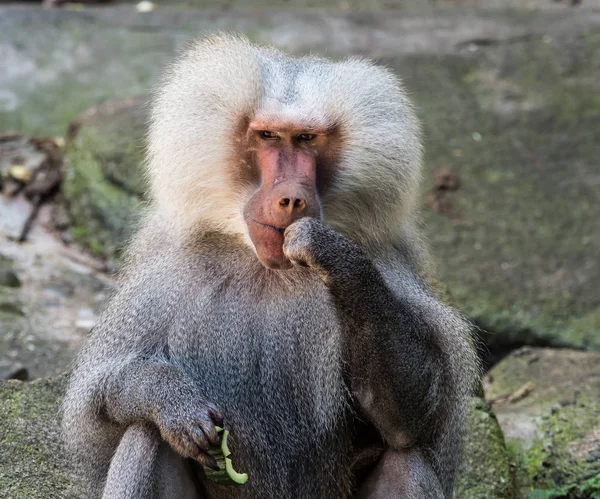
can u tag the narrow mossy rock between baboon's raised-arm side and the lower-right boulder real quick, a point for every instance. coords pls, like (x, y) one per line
(485, 472)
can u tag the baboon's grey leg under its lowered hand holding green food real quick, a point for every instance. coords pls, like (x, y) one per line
(145, 467)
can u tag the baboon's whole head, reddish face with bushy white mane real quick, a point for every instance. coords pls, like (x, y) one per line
(245, 140)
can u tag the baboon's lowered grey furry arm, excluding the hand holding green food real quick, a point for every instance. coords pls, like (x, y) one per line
(123, 369)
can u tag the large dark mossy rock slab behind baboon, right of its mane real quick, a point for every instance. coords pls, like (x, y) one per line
(517, 122)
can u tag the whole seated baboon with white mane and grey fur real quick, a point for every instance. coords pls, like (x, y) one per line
(276, 287)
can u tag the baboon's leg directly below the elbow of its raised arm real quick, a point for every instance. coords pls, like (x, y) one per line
(401, 475)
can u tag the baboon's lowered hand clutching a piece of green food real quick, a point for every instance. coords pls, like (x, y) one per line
(189, 428)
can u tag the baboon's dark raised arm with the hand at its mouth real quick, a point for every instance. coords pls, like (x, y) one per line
(393, 342)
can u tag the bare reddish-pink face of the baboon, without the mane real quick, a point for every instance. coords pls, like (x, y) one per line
(292, 165)
